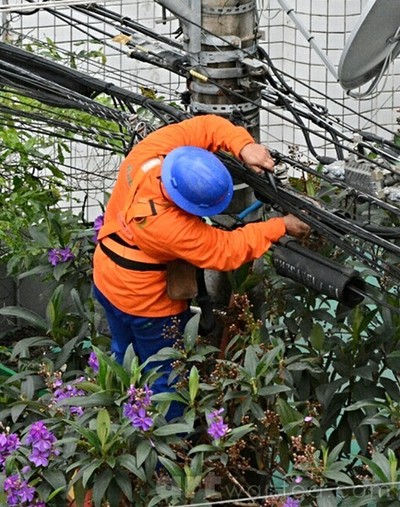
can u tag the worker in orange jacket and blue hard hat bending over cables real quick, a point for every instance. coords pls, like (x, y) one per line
(154, 232)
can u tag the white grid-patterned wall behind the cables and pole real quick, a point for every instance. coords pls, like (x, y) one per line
(329, 21)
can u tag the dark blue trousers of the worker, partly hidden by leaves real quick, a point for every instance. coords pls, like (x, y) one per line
(147, 335)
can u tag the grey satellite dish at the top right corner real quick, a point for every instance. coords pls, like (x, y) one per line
(373, 43)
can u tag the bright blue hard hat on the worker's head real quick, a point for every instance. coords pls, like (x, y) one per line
(197, 181)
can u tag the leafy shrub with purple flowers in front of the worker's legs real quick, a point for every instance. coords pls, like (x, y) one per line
(243, 430)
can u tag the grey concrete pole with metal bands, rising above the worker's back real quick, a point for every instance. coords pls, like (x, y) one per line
(228, 39)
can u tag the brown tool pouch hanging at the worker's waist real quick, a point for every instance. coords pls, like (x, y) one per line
(181, 280)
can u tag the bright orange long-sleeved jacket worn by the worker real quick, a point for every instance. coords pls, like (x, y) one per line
(171, 233)
